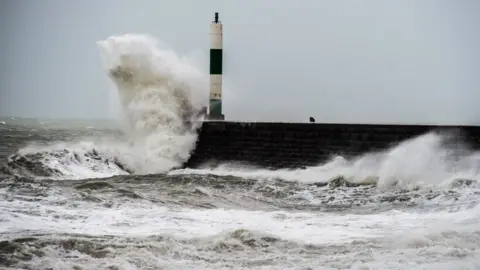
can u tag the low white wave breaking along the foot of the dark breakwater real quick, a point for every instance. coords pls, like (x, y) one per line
(432, 160)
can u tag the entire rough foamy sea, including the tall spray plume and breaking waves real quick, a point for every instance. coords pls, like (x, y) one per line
(92, 195)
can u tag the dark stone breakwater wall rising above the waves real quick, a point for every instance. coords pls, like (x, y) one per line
(295, 145)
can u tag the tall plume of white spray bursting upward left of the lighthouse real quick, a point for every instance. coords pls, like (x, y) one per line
(160, 96)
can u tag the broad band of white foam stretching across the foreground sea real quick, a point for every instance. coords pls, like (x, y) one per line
(143, 219)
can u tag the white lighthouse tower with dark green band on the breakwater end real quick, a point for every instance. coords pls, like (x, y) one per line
(216, 62)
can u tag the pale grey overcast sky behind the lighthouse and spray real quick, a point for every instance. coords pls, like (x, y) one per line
(341, 61)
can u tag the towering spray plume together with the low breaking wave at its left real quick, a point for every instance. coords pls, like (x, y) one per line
(160, 100)
